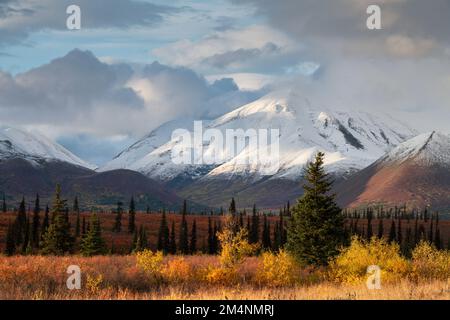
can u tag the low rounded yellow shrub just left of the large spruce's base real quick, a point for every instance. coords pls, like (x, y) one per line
(277, 269)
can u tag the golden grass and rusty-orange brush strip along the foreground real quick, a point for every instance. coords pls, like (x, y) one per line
(119, 278)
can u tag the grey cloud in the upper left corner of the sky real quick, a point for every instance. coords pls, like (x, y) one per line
(19, 18)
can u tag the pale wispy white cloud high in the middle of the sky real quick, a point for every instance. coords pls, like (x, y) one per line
(256, 48)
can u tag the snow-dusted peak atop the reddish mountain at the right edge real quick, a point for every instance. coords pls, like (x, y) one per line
(425, 149)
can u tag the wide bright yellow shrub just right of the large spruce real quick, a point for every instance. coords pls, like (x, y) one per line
(350, 266)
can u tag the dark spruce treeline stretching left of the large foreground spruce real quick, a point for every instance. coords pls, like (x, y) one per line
(61, 229)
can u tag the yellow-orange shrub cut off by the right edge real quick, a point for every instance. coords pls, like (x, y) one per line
(429, 262)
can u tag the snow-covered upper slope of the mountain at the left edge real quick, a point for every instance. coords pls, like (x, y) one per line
(35, 148)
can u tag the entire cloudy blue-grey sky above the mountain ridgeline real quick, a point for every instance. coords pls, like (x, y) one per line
(135, 65)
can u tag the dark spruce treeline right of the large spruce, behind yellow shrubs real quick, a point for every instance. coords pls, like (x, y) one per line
(407, 227)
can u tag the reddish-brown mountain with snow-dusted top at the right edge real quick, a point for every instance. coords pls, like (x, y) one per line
(417, 173)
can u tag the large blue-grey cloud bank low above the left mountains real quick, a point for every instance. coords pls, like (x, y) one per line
(79, 96)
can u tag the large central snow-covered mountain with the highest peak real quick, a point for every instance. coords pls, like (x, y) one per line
(351, 140)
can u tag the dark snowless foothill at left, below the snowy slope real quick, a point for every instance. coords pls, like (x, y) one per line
(19, 177)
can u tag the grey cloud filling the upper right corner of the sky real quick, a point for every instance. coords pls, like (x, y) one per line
(411, 28)
